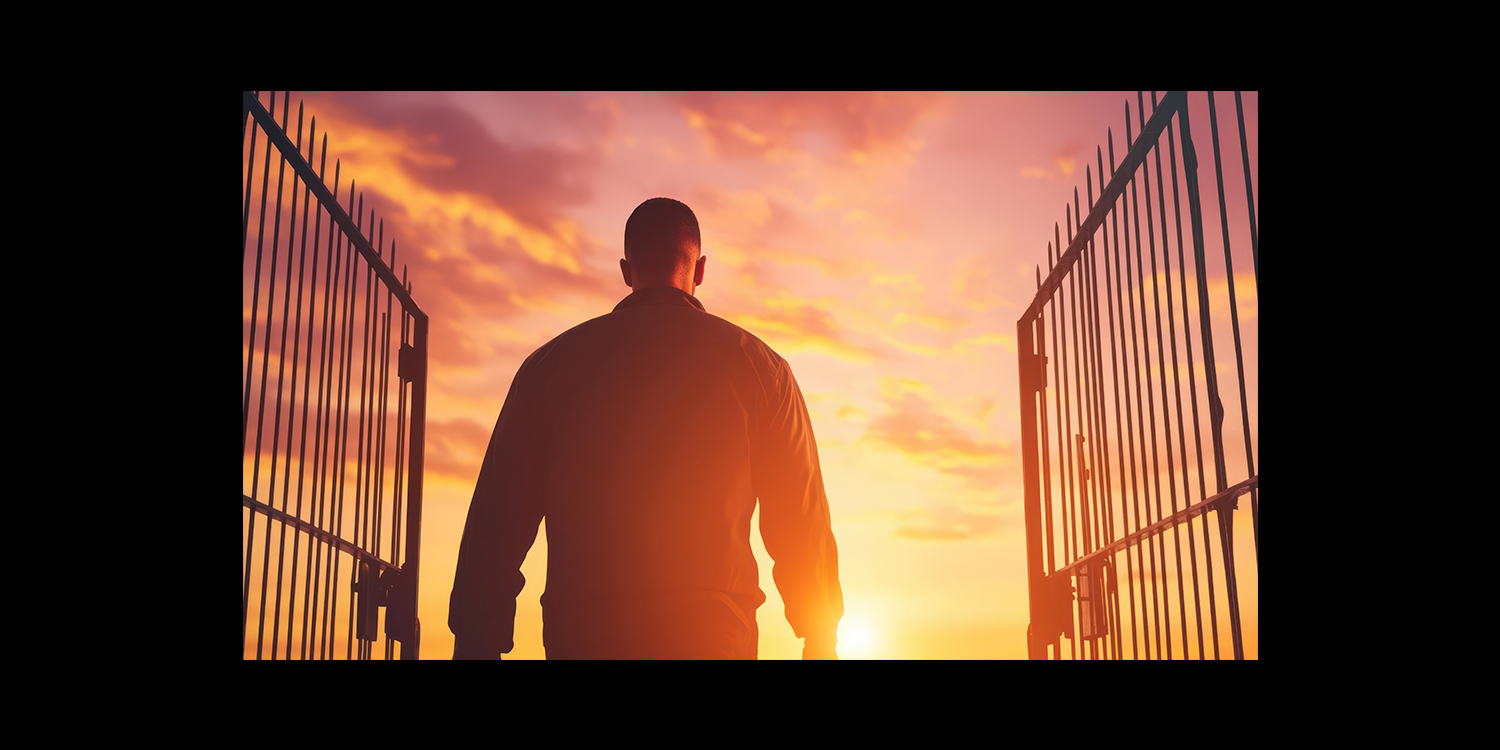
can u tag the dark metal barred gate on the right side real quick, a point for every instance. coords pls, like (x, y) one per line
(1117, 370)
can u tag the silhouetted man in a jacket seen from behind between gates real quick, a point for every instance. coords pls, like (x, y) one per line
(644, 437)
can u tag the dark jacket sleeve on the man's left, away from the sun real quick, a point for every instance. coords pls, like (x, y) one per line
(502, 527)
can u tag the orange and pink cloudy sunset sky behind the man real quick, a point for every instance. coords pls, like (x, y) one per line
(884, 244)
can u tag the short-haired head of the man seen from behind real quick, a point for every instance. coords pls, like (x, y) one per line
(664, 247)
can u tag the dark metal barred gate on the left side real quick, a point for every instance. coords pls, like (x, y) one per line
(332, 434)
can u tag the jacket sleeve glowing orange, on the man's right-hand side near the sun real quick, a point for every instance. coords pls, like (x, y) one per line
(794, 514)
